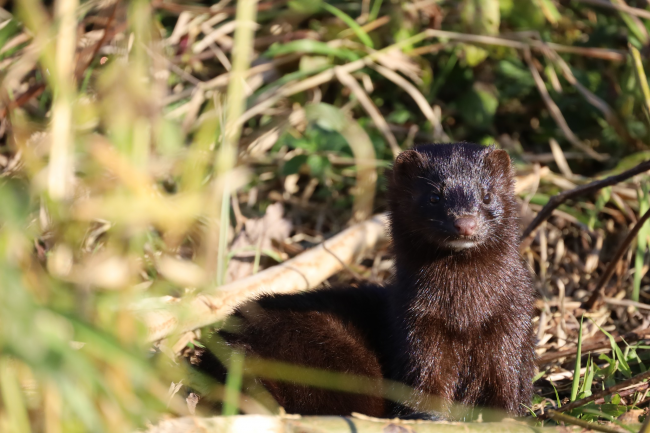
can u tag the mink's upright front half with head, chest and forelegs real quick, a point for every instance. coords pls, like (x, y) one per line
(464, 298)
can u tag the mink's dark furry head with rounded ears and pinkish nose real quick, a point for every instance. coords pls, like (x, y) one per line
(452, 199)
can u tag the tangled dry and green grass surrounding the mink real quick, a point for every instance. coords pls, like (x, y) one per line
(138, 138)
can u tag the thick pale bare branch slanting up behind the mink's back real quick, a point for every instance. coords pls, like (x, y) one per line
(303, 272)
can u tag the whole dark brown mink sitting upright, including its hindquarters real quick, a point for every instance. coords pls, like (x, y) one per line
(455, 322)
